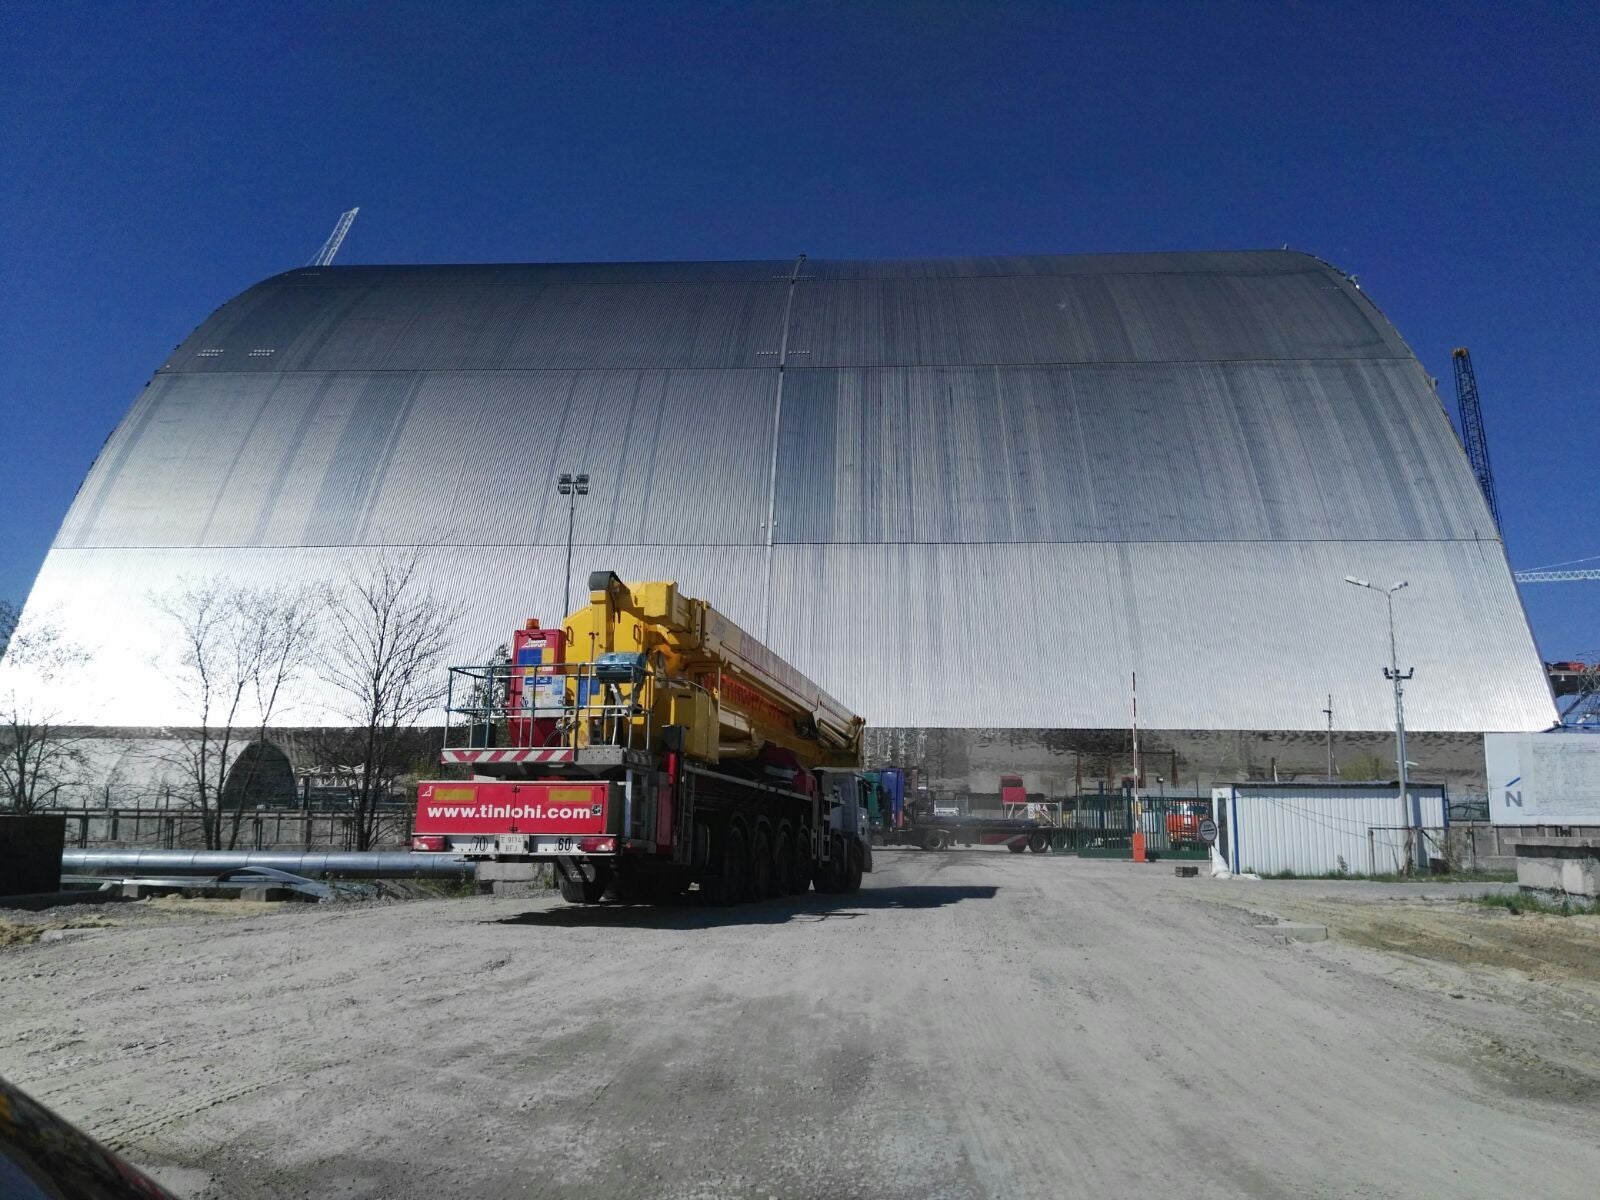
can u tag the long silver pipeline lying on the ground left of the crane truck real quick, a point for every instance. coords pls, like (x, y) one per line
(350, 865)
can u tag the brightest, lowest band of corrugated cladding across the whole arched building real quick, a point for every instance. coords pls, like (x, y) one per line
(1225, 638)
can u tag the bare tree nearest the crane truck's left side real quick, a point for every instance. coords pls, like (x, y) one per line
(386, 658)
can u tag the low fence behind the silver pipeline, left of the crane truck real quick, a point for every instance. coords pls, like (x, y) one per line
(258, 830)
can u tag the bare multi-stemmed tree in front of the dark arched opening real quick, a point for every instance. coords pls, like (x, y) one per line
(238, 652)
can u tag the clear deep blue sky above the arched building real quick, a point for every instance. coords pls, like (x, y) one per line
(159, 159)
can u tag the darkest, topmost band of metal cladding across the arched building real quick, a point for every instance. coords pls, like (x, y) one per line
(1015, 311)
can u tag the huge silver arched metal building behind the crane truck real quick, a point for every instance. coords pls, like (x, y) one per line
(972, 498)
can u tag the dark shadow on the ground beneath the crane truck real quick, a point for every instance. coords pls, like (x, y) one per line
(690, 914)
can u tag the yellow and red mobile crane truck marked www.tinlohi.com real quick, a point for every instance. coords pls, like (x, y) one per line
(647, 746)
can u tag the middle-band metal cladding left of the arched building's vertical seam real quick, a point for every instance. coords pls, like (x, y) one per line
(434, 458)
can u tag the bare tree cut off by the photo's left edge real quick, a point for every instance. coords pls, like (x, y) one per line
(39, 750)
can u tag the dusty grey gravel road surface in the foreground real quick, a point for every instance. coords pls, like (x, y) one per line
(972, 1025)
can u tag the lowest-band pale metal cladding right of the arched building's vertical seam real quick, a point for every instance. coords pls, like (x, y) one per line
(1225, 636)
